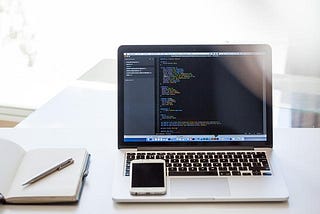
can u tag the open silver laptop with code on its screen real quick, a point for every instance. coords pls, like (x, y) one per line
(207, 111)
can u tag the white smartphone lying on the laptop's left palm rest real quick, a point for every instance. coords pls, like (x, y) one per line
(148, 177)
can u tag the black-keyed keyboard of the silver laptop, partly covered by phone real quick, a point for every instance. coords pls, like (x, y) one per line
(238, 163)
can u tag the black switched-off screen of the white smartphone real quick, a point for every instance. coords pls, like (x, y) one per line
(147, 175)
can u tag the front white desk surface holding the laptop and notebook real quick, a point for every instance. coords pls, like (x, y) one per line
(301, 174)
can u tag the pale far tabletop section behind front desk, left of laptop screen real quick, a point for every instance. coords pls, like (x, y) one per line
(82, 105)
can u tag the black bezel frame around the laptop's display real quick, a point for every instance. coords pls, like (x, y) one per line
(198, 48)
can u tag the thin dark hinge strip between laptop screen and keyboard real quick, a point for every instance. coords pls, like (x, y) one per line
(211, 148)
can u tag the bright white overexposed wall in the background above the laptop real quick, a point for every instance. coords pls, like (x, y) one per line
(67, 37)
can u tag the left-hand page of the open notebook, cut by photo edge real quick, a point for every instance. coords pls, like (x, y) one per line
(11, 155)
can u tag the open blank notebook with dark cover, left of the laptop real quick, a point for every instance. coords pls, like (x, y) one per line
(17, 166)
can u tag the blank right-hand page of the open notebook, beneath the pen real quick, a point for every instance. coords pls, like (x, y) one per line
(63, 183)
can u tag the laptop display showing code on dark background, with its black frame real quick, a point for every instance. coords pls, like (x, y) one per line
(195, 95)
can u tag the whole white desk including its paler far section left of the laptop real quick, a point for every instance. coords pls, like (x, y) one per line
(65, 121)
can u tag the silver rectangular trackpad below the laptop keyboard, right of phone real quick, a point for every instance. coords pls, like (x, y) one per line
(199, 187)
